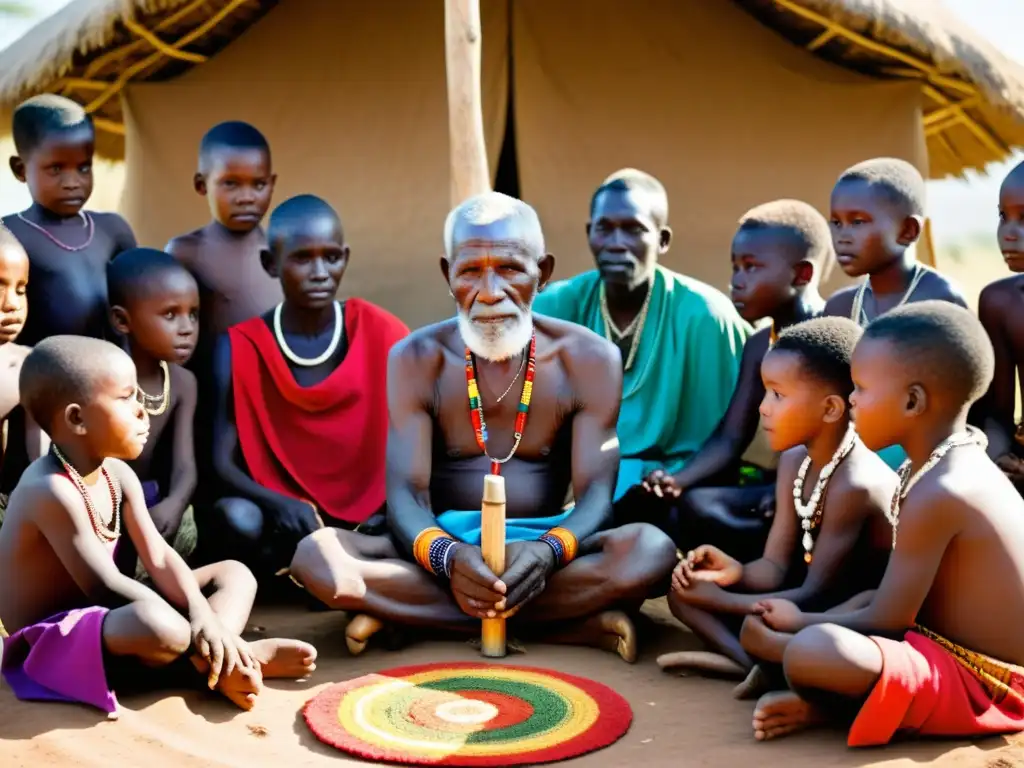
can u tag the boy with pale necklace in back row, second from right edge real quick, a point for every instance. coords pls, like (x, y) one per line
(878, 214)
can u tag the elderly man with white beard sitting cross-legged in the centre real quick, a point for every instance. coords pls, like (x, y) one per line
(497, 391)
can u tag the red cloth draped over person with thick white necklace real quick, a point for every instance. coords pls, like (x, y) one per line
(324, 444)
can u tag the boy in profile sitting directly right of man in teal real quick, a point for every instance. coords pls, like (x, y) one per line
(781, 253)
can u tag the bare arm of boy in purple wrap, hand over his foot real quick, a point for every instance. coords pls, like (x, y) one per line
(176, 581)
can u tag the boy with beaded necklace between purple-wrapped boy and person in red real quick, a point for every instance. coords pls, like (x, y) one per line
(155, 305)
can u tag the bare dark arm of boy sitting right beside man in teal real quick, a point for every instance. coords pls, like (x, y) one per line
(738, 428)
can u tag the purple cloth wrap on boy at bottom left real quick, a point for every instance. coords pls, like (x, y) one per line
(61, 660)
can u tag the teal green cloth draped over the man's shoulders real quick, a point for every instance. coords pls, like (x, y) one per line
(684, 374)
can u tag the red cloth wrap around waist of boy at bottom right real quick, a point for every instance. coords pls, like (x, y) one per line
(931, 688)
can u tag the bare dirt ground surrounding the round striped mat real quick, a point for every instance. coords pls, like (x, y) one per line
(692, 721)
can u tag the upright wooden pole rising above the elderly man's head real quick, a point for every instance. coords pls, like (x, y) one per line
(468, 154)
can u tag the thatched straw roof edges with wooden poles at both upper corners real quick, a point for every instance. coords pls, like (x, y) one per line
(974, 96)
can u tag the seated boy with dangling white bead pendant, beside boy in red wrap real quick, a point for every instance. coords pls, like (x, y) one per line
(831, 500)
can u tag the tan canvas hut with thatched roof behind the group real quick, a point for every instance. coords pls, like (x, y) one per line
(730, 103)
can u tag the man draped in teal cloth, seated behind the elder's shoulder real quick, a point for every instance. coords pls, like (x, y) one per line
(680, 340)
